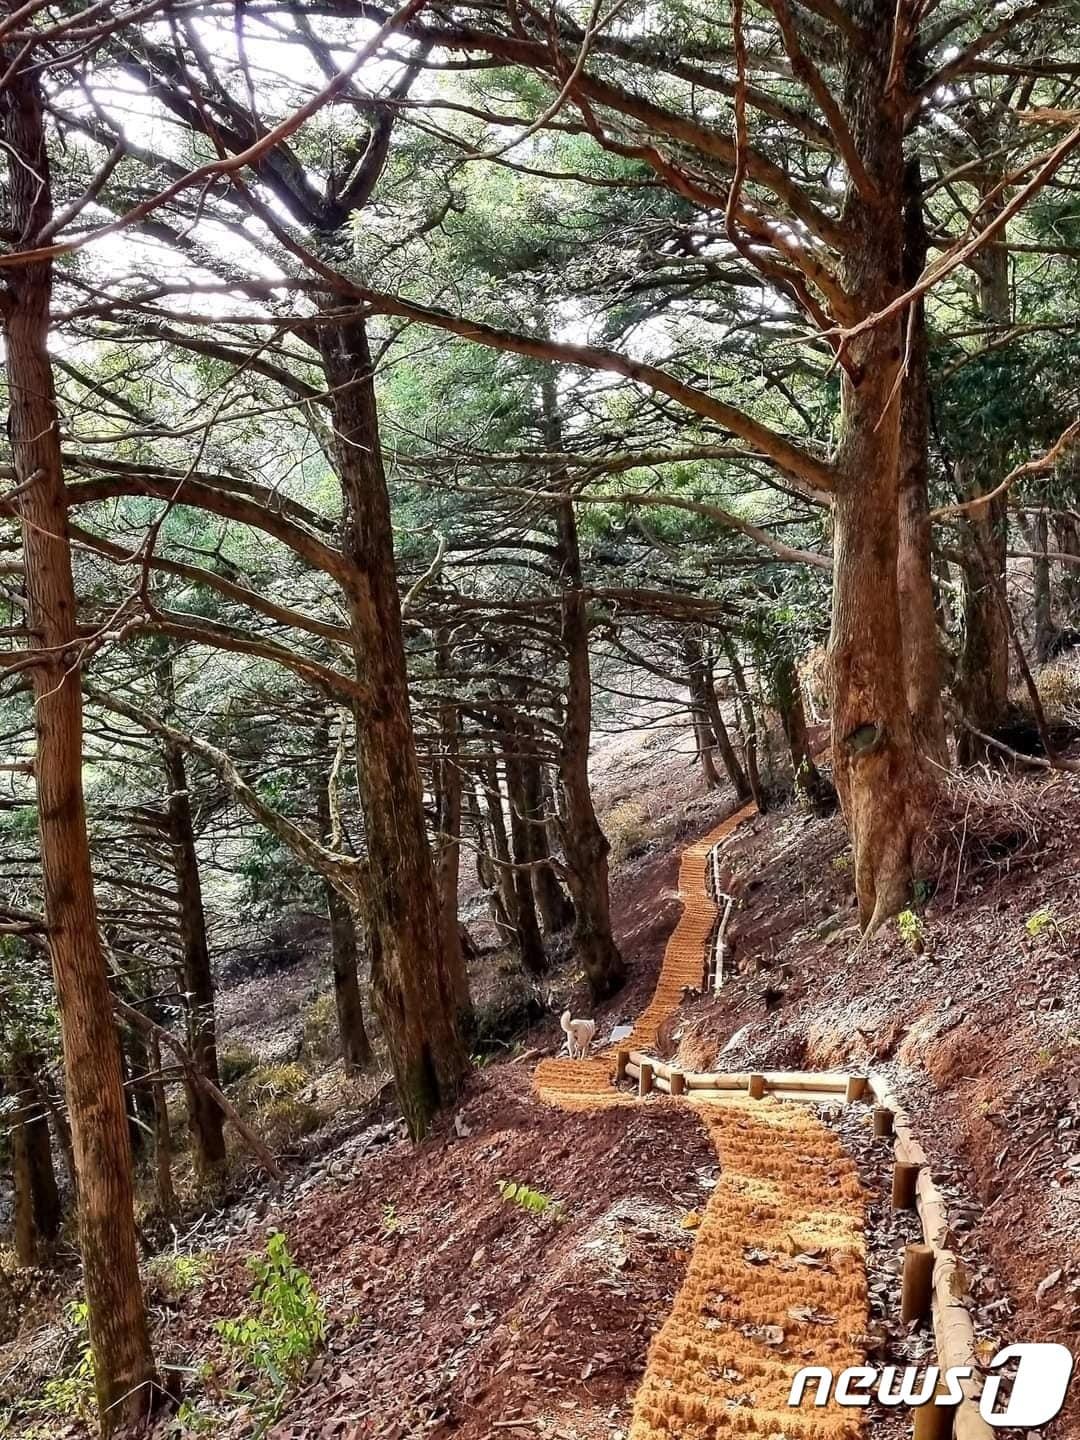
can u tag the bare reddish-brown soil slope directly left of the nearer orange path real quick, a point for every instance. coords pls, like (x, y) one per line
(454, 1311)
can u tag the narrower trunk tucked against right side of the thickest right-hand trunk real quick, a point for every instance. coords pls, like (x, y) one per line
(915, 568)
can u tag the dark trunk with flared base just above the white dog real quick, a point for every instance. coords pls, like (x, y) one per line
(585, 846)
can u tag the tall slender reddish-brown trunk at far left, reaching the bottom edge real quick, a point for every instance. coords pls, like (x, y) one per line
(120, 1343)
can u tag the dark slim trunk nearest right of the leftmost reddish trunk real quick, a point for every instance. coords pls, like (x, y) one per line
(207, 1121)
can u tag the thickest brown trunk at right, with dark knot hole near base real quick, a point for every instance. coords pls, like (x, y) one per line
(878, 771)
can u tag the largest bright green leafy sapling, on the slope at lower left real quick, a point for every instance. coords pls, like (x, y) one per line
(289, 1326)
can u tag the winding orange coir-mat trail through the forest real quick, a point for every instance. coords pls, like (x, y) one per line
(778, 1274)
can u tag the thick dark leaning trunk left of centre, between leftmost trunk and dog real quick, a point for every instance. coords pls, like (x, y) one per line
(417, 991)
